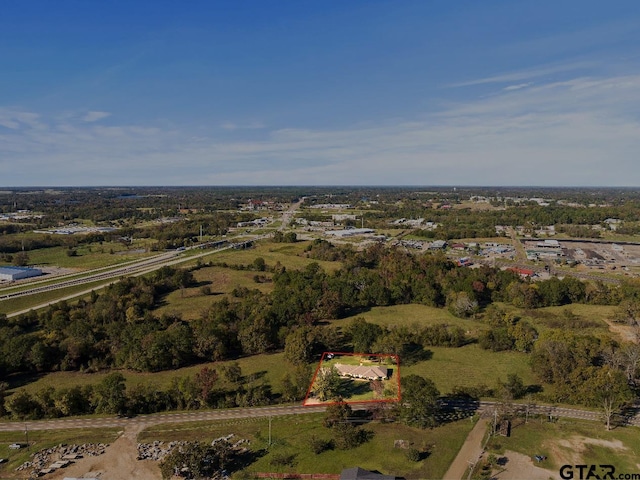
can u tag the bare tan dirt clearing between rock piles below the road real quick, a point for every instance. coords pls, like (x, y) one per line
(119, 462)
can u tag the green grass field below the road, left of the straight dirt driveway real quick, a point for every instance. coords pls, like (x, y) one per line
(291, 435)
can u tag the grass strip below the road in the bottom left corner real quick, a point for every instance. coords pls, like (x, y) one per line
(42, 439)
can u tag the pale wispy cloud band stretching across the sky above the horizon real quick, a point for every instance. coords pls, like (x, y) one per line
(581, 131)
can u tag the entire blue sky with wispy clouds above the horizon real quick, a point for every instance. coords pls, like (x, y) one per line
(297, 92)
